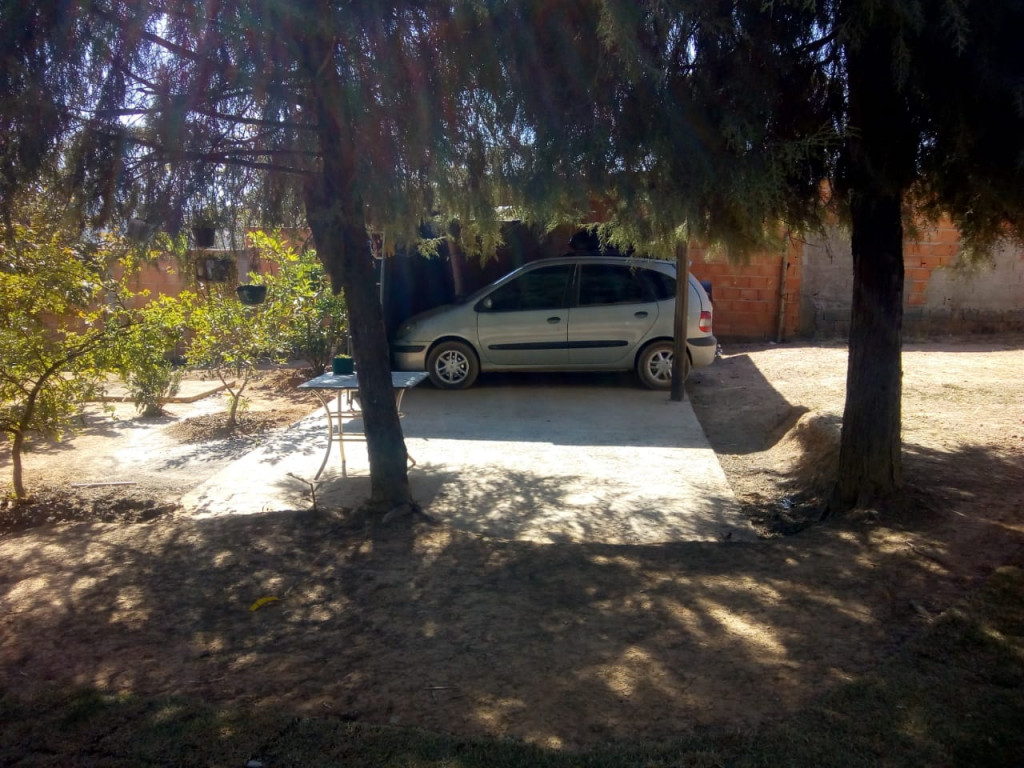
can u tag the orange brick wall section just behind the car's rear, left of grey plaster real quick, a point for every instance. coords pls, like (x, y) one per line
(748, 296)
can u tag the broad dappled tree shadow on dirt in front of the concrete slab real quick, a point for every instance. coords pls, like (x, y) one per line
(562, 645)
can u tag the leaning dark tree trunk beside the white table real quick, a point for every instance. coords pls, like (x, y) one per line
(337, 219)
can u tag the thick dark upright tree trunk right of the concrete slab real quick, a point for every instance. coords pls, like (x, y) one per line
(879, 151)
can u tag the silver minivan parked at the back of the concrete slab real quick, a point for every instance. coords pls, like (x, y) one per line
(568, 314)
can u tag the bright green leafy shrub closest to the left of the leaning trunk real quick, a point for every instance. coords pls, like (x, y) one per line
(317, 319)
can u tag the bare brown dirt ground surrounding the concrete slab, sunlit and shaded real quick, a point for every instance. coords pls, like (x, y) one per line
(564, 646)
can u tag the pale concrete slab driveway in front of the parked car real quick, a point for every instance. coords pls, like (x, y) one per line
(544, 459)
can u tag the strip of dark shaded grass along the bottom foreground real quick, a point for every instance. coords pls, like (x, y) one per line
(955, 697)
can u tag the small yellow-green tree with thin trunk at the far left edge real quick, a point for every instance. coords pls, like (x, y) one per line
(60, 311)
